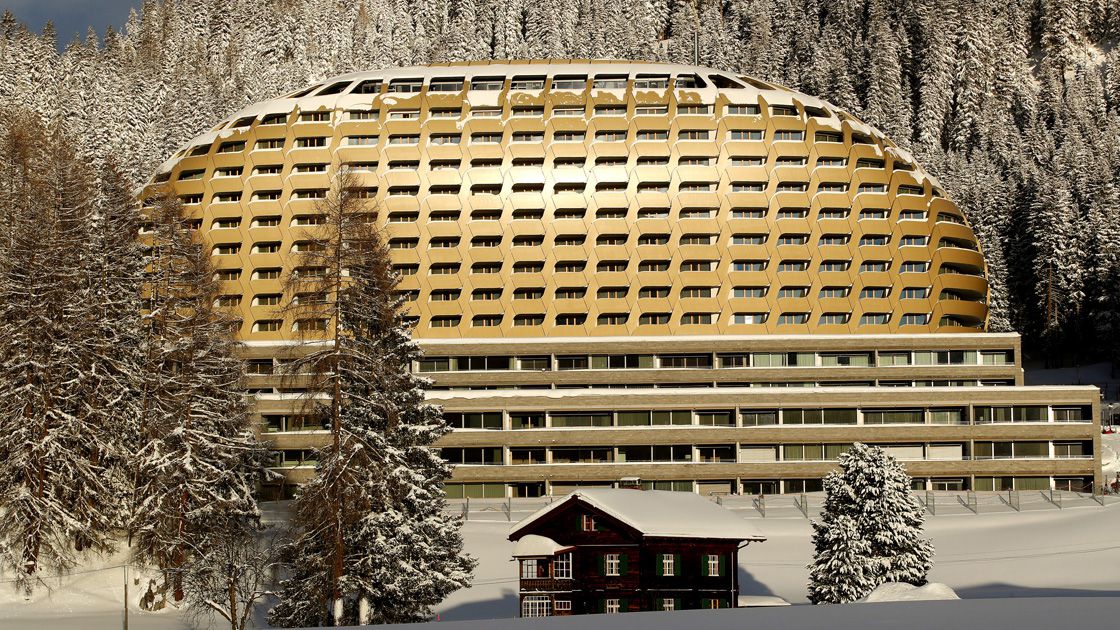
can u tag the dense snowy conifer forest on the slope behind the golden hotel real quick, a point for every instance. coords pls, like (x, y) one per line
(1013, 104)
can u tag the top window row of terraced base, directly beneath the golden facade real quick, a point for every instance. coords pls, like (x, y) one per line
(707, 362)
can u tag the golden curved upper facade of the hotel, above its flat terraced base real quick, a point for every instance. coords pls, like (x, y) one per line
(594, 200)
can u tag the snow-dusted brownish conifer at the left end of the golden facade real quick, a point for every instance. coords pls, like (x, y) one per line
(199, 460)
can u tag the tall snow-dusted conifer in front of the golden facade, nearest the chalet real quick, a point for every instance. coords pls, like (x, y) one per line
(371, 541)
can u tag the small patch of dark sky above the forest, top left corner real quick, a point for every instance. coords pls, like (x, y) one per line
(71, 17)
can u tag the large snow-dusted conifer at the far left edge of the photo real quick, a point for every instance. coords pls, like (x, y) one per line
(54, 413)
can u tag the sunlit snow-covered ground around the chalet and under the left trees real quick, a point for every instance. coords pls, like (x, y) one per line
(1041, 552)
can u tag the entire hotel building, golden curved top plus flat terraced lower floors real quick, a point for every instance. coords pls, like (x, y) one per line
(704, 263)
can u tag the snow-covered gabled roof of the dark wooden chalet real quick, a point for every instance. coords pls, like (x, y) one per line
(658, 514)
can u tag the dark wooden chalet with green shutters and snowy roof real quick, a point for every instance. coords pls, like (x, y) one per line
(608, 551)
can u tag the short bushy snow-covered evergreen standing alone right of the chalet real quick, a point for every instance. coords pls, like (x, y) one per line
(871, 530)
